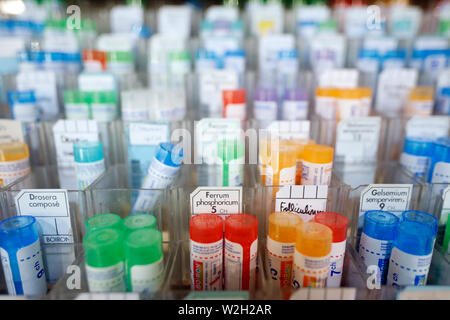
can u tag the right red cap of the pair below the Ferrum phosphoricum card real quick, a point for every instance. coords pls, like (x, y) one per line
(241, 228)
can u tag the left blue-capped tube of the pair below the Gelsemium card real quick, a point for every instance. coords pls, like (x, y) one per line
(376, 240)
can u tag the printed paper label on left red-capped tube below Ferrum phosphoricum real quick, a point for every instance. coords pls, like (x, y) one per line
(206, 265)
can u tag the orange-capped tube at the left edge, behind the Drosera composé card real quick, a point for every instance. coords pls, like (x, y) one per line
(14, 162)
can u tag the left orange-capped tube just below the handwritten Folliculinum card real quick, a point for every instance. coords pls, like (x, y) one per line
(281, 246)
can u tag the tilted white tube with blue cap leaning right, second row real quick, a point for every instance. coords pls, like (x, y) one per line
(161, 173)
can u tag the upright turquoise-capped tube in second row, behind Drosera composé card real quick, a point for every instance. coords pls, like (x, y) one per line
(89, 162)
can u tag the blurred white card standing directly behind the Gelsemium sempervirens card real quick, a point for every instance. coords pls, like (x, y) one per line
(357, 140)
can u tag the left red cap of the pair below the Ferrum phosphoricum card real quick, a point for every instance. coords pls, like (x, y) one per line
(206, 228)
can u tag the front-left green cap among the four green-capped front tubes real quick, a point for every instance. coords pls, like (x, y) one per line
(103, 247)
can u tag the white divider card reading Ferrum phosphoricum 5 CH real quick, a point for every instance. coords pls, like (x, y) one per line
(222, 201)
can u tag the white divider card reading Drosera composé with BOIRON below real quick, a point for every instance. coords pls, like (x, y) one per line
(51, 209)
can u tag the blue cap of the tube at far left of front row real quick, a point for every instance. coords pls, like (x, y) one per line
(18, 232)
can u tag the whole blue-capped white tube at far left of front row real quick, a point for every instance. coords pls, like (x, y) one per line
(21, 256)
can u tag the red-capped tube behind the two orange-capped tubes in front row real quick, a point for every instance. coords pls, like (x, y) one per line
(338, 224)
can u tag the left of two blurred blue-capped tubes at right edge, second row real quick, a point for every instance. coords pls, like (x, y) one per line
(416, 155)
